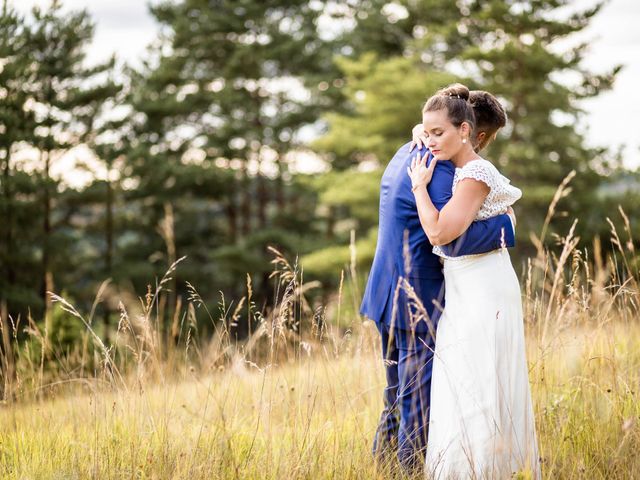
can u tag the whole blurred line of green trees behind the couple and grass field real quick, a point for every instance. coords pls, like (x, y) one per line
(201, 150)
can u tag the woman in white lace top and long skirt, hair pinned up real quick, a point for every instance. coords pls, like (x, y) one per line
(481, 421)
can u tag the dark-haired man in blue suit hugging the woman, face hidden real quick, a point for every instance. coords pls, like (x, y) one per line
(405, 289)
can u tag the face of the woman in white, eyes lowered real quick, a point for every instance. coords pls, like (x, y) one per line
(445, 139)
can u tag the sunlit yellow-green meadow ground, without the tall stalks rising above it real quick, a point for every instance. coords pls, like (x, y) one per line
(315, 417)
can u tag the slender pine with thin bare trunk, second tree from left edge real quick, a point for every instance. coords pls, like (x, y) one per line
(66, 96)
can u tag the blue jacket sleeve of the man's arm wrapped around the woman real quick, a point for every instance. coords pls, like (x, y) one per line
(482, 236)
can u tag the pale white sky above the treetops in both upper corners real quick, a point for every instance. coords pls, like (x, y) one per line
(126, 27)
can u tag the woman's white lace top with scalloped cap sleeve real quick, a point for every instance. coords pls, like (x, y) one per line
(501, 193)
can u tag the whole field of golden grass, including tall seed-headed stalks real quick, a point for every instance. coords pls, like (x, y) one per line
(300, 398)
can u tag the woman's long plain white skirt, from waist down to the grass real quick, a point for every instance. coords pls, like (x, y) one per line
(481, 421)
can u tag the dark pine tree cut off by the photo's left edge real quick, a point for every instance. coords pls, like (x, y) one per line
(16, 188)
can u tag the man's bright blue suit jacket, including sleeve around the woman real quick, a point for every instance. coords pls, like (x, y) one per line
(398, 220)
